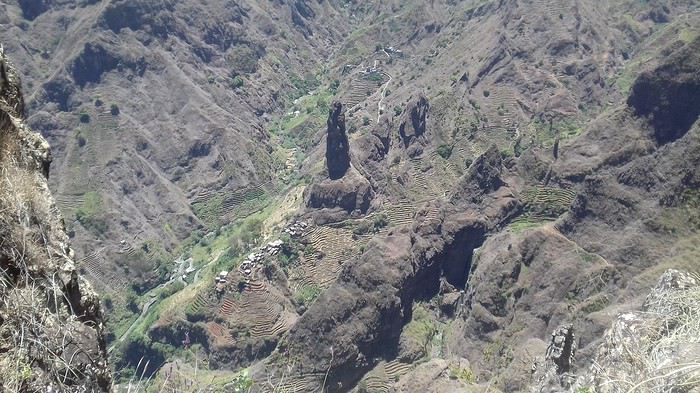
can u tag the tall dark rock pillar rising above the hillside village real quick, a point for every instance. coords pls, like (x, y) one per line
(337, 144)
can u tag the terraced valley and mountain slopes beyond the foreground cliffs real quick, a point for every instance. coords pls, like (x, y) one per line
(491, 171)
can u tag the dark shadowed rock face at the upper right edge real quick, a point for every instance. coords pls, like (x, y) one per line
(668, 95)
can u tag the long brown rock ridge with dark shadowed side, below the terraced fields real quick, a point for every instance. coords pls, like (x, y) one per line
(360, 317)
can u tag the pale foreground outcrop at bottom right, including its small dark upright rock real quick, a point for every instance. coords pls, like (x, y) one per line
(654, 349)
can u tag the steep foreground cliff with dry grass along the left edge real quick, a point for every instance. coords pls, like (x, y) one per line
(51, 326)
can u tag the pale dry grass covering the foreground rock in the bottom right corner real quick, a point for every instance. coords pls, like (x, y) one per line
(657, 350)
